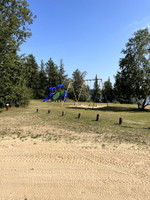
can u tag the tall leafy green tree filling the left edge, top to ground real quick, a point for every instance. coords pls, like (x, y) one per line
(14, 18)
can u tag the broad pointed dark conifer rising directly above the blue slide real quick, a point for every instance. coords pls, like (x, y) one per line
(52, 73)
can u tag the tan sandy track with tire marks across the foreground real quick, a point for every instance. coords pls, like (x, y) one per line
(60, 171)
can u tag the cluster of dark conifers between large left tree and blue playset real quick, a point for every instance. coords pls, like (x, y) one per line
(40, 80)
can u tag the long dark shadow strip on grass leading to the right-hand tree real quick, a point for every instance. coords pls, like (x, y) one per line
(110, 109)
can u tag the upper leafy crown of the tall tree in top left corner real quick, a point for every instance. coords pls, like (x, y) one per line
(14, 17)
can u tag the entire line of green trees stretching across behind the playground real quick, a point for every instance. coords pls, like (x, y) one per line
(21, 78)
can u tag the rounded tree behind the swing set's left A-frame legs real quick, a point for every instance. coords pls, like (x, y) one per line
(79, 87)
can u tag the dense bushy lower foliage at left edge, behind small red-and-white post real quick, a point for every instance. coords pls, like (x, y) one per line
(13, 88)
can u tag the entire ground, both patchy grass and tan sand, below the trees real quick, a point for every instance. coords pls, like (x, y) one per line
(47, 155)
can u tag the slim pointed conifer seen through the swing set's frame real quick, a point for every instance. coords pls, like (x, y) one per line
(96, 91)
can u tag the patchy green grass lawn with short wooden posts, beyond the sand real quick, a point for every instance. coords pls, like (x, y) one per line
(26, 123)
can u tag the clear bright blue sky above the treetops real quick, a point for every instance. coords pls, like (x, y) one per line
(88, 35)
